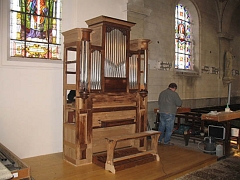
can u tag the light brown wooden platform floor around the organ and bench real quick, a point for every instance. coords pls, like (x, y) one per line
(174, 162)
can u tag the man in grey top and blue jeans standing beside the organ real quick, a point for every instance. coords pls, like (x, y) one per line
(168, 102)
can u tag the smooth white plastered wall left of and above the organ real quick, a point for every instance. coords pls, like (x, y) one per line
(31, 92)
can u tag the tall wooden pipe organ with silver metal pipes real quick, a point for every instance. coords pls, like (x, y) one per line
(108, 71)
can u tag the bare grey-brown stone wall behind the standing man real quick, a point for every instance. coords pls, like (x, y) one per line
(215, 29)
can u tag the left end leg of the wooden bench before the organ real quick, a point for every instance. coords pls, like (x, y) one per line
(109, 165)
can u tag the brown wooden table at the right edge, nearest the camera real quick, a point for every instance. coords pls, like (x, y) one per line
(223, 117)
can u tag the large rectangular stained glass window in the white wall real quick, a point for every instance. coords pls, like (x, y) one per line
(35, 29)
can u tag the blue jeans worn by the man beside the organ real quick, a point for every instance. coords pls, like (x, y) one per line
(166, 124)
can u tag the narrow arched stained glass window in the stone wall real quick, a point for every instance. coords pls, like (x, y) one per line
(183, 39)
